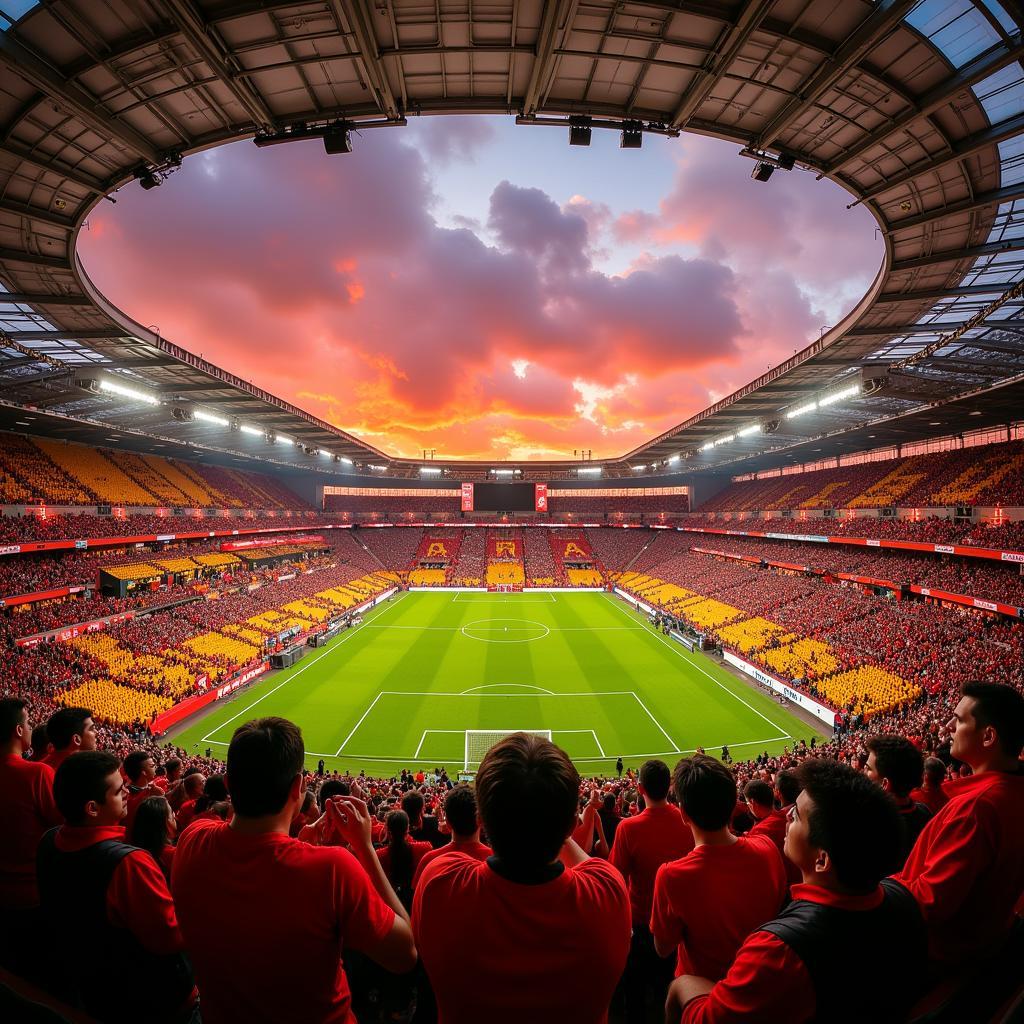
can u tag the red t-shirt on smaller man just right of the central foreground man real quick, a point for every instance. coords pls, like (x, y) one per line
(643, 845)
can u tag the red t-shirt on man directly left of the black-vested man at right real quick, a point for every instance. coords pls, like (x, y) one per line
(708, 903)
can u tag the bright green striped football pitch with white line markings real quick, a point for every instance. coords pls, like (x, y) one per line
(403, 690)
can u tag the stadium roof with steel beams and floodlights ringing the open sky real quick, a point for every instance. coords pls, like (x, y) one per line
(916, 107)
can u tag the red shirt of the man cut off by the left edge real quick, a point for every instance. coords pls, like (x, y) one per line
(27, 813)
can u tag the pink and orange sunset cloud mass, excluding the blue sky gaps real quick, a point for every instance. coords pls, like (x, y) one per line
(328, 282)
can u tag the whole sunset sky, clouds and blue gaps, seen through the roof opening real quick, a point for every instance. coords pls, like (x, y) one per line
(483, 289)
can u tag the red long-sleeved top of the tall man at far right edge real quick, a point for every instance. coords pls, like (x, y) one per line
(967, 869)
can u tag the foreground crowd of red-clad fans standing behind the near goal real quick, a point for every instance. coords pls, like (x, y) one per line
(724, 892)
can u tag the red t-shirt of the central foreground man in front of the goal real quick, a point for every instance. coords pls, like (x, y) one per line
(506, 953)
